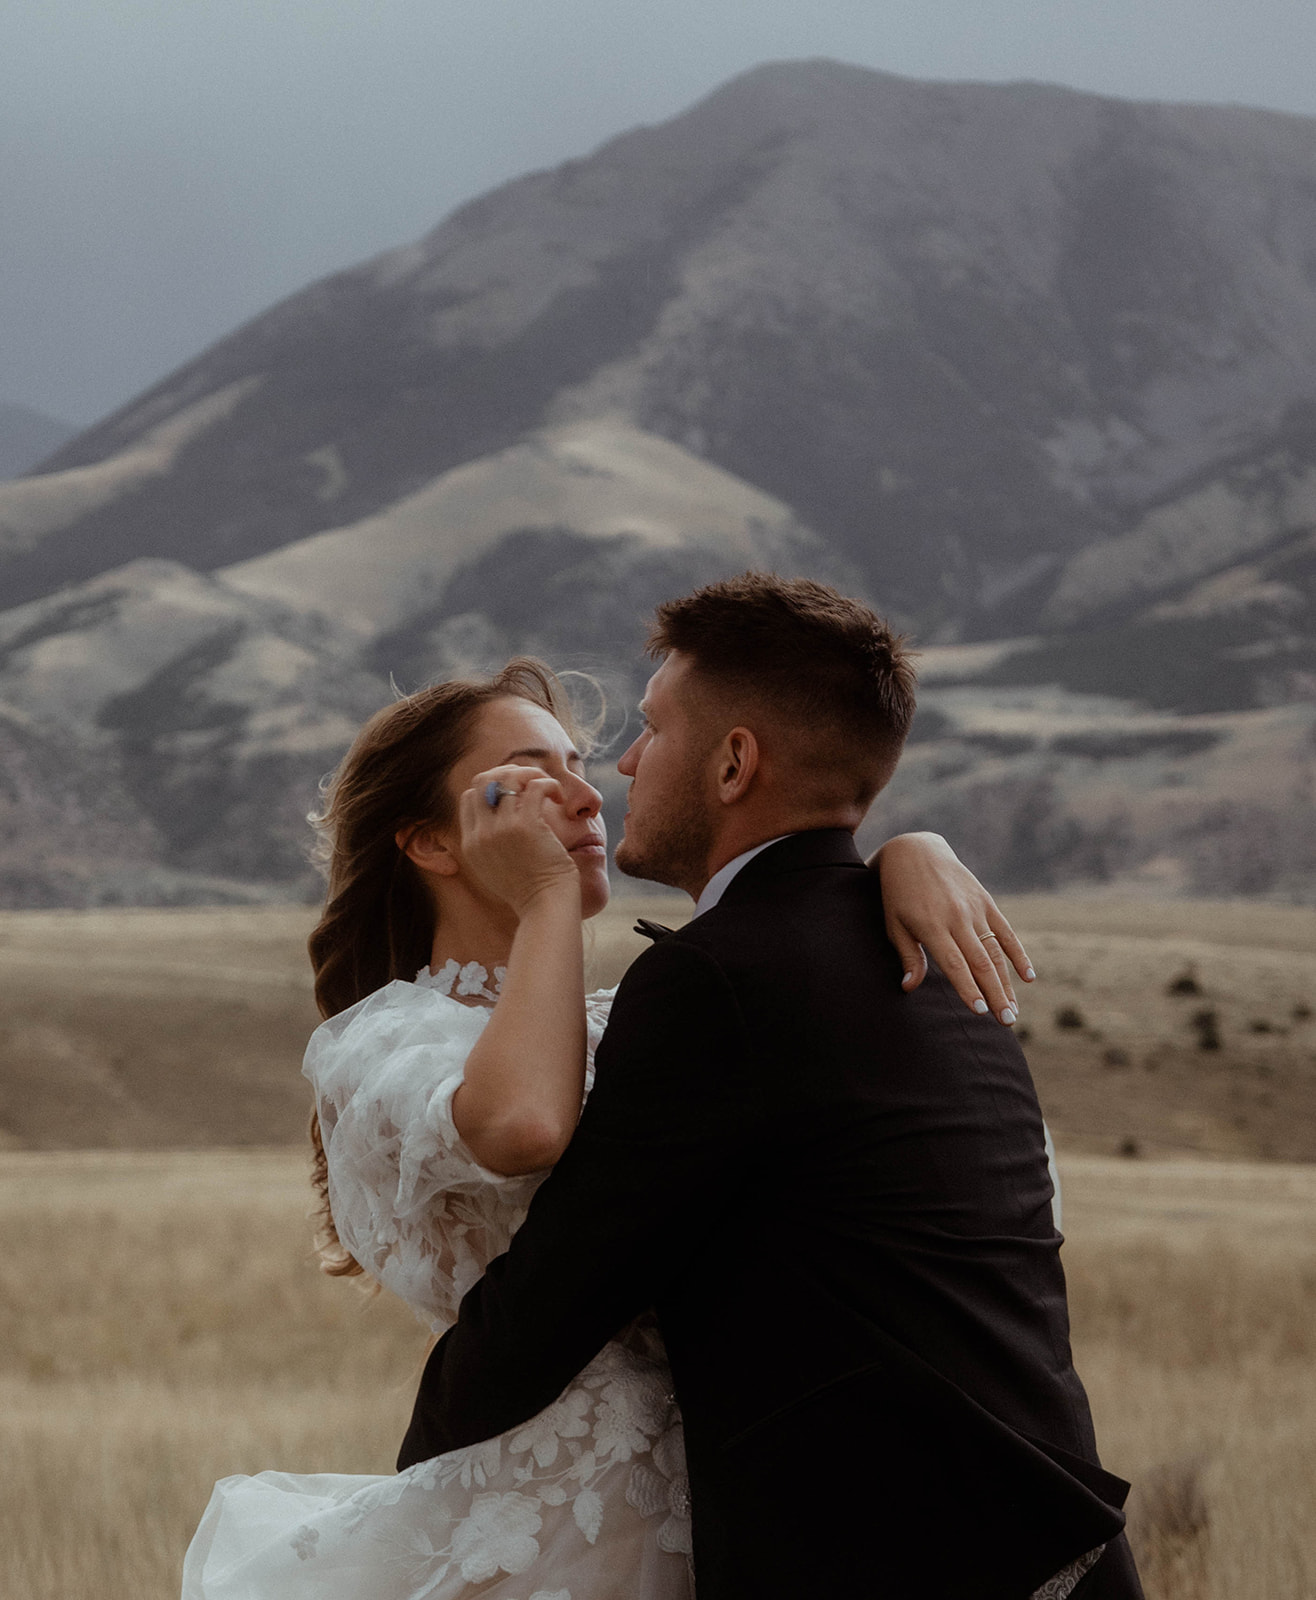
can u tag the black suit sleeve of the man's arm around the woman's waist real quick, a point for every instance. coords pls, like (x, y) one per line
(660, 1146)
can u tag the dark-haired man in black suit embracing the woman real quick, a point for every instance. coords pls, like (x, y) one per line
(835, 1194)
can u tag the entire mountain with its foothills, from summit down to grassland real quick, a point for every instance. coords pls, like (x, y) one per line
(1032, 369)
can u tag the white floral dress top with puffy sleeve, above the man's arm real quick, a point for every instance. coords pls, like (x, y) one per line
(409, 1199)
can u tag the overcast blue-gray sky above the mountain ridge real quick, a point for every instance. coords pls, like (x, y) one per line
(172, 167)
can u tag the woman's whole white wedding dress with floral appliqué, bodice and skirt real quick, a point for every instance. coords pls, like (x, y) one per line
(587, 1502)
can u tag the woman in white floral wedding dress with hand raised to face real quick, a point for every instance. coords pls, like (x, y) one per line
(465, 847)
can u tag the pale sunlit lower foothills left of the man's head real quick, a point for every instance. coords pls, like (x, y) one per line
(212, 703)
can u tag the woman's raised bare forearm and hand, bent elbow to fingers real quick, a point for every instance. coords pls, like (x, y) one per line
(524, 1084)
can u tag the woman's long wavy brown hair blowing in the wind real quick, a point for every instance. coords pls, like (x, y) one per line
(379, 919)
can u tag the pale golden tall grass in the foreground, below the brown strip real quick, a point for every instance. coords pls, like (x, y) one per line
(164, 1326)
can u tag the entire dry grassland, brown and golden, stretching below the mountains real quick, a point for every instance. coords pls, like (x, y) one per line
(164, 1322)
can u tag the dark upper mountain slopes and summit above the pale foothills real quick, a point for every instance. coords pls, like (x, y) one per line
(965, 332)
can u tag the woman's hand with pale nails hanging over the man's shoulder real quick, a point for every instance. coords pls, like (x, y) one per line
(937, 908)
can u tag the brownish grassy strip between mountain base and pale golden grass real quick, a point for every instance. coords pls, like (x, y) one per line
(1155, 1028)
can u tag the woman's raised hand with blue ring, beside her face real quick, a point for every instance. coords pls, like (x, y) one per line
(512, 849)
